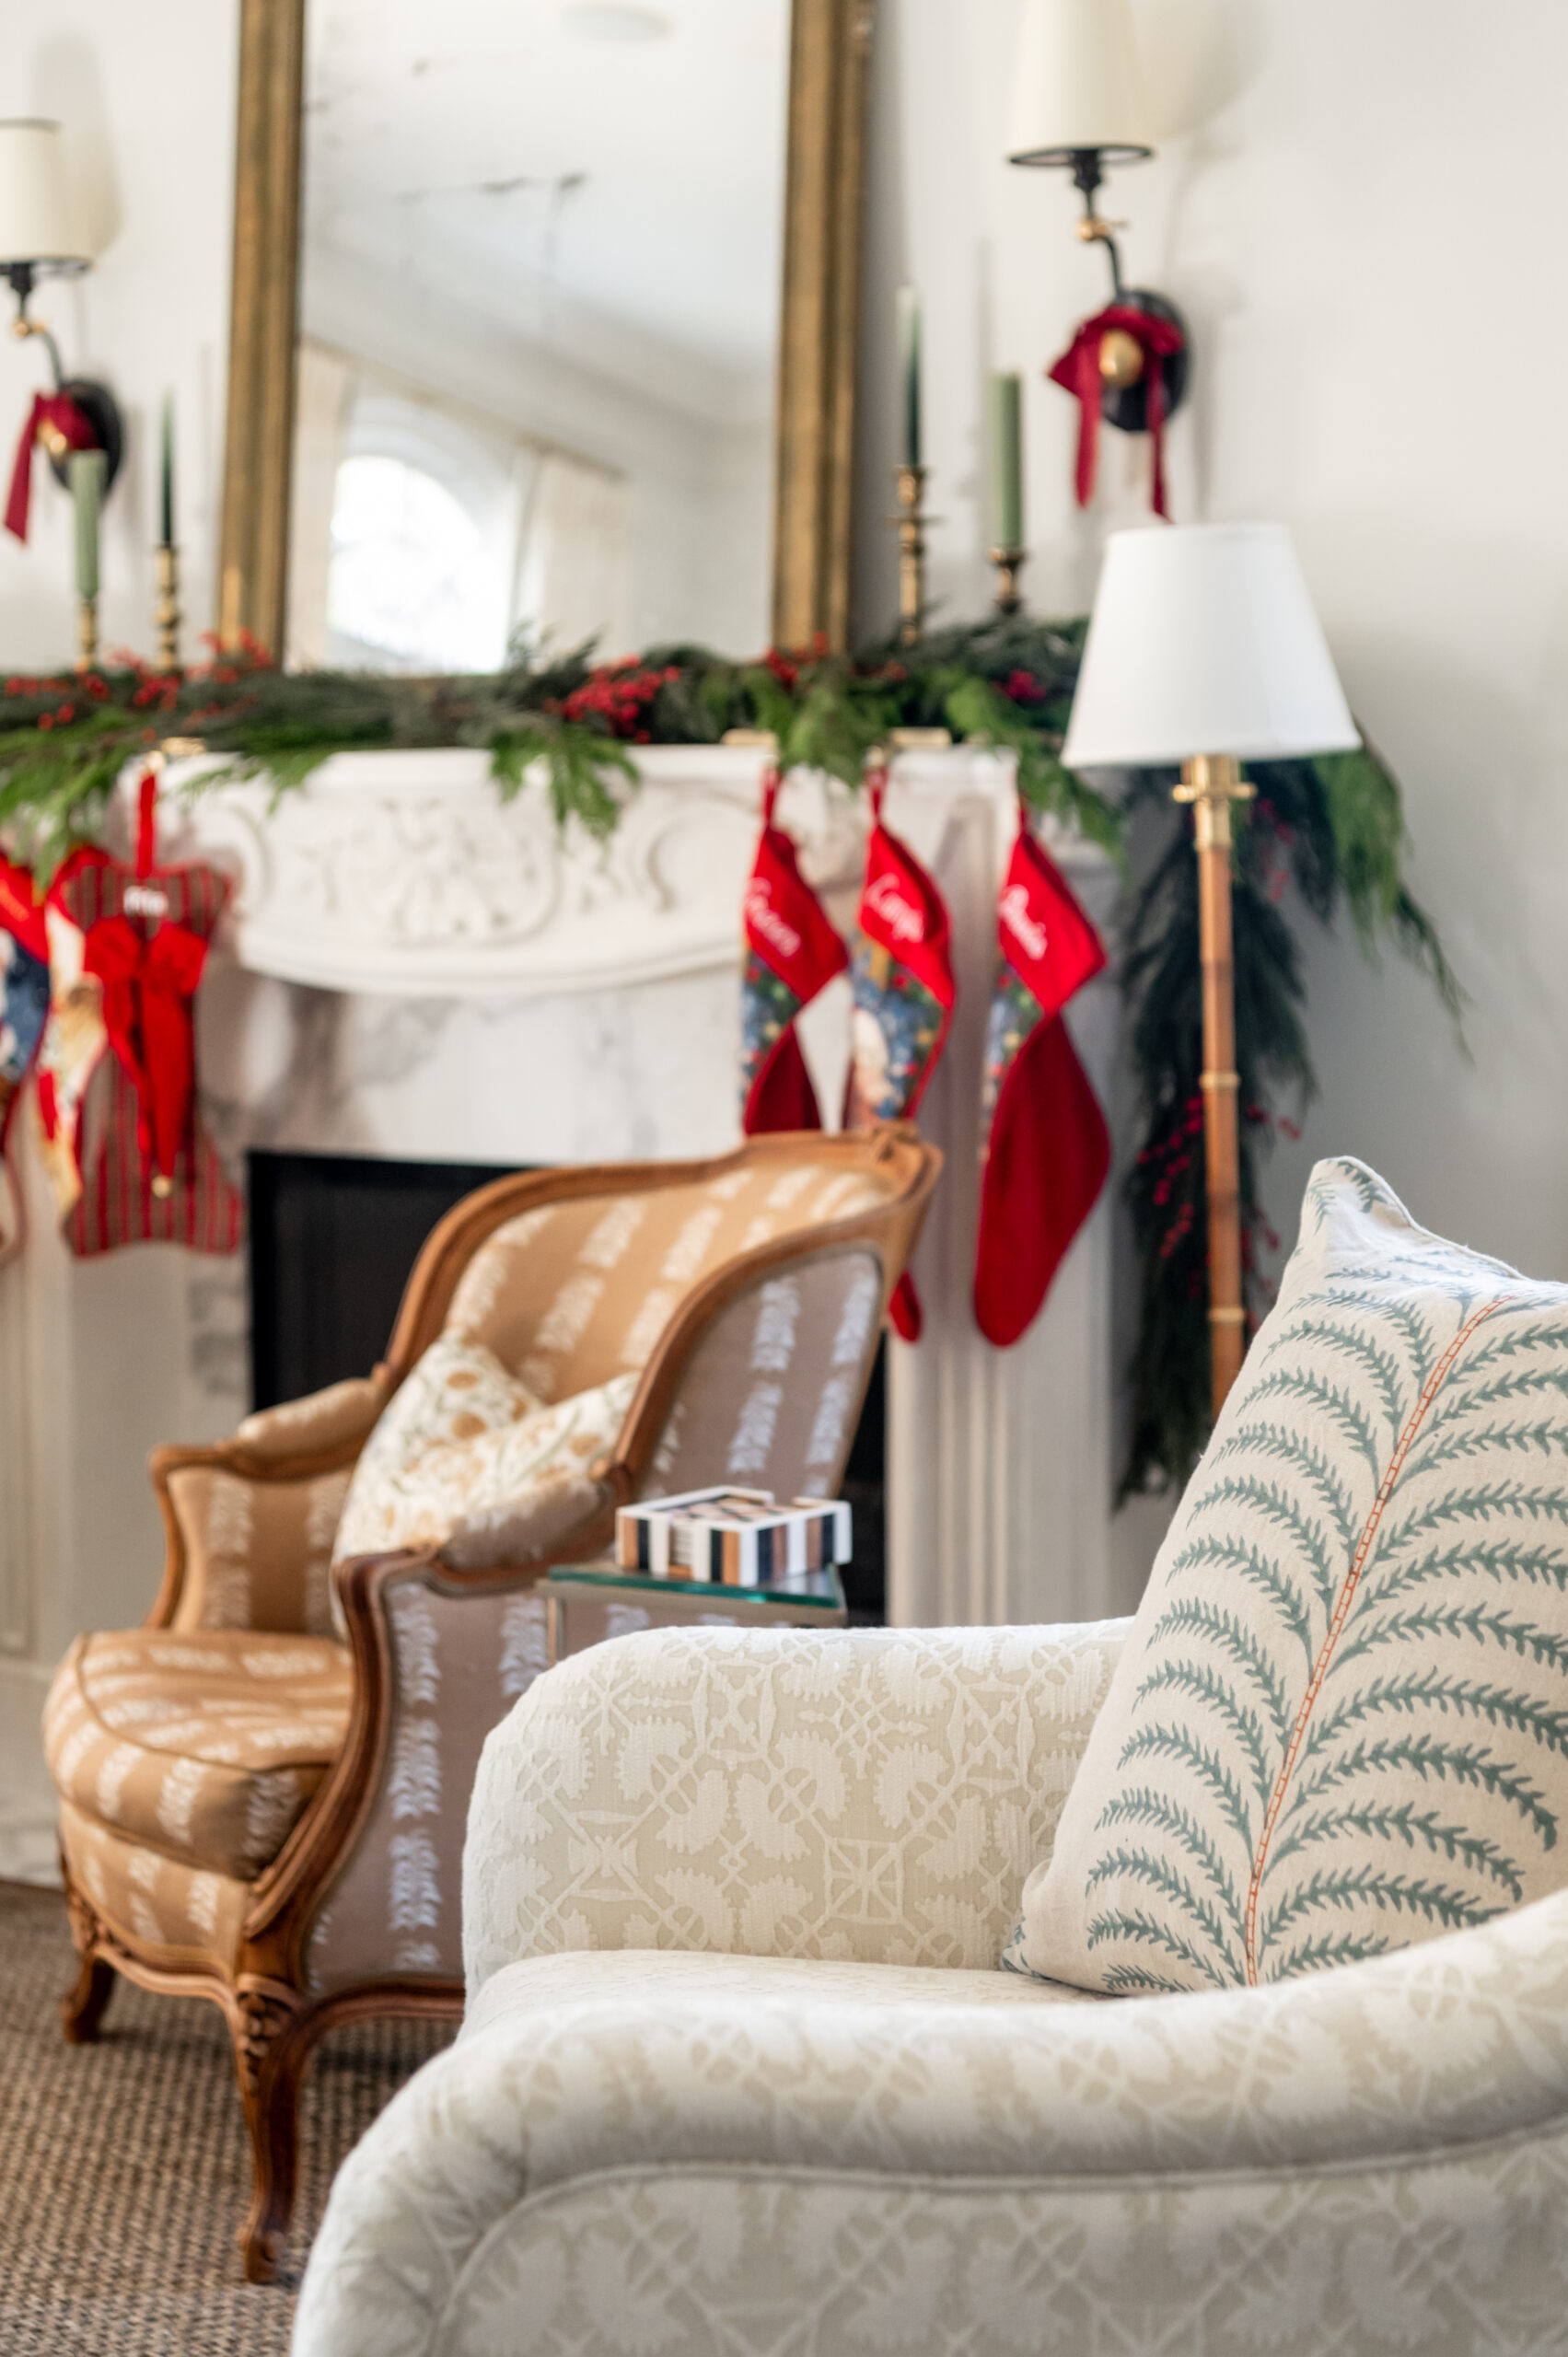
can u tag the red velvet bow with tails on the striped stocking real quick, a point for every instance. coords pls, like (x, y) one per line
(147, 1015)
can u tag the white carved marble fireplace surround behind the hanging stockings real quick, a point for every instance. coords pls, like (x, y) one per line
(416, 968)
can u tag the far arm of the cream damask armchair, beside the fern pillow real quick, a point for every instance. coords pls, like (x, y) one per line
(869, 1795)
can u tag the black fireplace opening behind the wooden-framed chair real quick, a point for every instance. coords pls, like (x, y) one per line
(331, 1246)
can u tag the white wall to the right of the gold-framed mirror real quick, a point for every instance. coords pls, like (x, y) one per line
(1362, 213)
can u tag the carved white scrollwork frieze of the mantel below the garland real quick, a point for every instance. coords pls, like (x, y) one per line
(409, 873)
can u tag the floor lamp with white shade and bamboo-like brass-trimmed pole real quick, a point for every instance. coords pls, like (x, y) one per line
(1206, 649)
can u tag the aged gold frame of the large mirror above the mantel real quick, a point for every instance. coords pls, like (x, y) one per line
(817, 334)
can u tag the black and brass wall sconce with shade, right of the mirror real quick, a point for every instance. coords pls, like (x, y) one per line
(1079, 107)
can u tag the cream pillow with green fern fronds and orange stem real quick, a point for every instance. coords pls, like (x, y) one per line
(1340, 1722)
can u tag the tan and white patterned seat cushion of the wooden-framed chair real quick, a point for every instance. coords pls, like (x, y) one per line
(206, 1745)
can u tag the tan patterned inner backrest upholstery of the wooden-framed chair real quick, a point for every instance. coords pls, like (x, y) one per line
(581, 1290)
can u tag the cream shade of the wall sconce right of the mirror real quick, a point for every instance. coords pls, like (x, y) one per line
(1079, 84)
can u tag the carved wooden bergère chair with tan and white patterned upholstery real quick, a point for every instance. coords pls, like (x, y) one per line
(265, 1807)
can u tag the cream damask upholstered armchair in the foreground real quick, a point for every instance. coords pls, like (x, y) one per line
(742, 2073)
